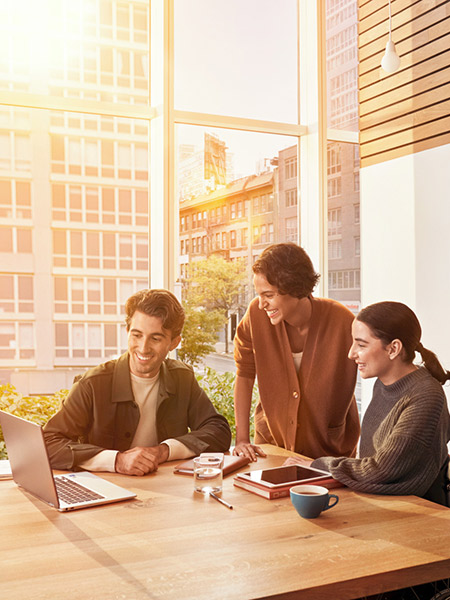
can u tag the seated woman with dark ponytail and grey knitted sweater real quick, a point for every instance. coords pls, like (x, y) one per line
(406, 426)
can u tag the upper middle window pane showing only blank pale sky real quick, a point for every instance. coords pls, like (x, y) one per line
(237, 58)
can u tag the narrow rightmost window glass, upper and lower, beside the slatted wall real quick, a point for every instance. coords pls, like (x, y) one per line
(344, 275)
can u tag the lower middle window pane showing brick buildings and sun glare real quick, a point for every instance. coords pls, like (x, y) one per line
(238, 193)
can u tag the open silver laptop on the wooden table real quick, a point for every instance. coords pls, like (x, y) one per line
(31, 470)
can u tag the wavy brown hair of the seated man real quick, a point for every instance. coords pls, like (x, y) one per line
(157, 303)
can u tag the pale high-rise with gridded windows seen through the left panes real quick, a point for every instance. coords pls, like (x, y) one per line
(73, 191)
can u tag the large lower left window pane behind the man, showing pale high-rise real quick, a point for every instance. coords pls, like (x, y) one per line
(77, 235)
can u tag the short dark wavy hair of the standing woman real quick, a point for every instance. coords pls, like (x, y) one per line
(287, 267)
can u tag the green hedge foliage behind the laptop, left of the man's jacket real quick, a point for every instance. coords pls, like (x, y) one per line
(38, 409)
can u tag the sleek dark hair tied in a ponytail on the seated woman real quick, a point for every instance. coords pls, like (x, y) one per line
(390, 321)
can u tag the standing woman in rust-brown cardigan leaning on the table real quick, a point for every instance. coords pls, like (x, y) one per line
(296, 345)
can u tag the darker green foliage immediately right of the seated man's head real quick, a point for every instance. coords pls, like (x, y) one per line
(200, 333)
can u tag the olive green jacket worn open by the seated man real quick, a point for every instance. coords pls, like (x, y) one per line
(100, 413)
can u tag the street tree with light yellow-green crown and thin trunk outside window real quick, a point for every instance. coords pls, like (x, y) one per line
(215, 285)
